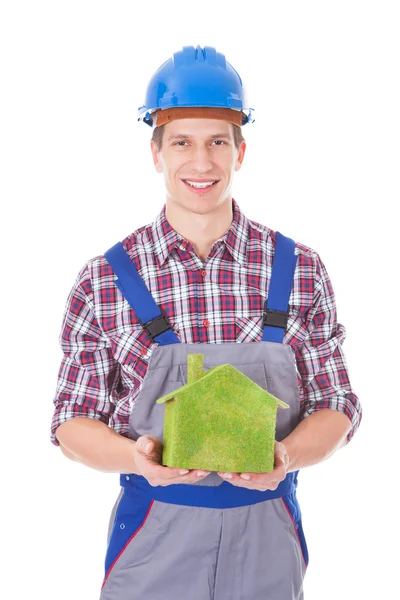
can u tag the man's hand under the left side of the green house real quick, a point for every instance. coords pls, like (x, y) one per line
(148, 453)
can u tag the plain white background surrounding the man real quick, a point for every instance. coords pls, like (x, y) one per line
(322, 166)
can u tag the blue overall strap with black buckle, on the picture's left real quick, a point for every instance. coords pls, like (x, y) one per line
(133, 288)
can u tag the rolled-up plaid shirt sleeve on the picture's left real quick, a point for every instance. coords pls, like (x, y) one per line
(88, 373)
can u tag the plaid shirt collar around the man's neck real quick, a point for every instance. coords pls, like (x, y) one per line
(166, 239)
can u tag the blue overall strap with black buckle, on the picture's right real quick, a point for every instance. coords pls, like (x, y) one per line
(276, 307)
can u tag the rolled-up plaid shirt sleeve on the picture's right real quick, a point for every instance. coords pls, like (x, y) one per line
(320, 359)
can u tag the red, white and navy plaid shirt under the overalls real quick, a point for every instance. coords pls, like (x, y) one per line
(106, 351)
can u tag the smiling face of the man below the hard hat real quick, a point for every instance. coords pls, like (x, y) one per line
(198, 159)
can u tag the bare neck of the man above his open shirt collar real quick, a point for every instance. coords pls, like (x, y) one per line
(201, 230)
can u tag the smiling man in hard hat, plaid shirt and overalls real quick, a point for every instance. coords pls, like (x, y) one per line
(201, 278)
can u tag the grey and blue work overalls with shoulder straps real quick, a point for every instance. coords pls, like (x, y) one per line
(210, 540)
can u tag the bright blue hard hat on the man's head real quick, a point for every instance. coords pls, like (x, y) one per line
(195, 77)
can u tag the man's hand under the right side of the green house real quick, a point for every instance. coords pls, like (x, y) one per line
(262, 481)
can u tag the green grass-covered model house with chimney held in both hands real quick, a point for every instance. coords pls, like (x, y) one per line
(219, 421)
